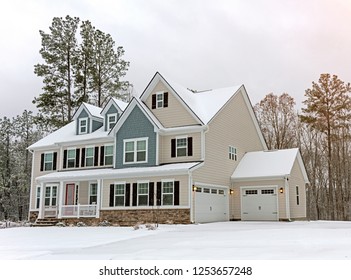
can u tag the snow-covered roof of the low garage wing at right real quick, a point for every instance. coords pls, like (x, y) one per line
(268, 164)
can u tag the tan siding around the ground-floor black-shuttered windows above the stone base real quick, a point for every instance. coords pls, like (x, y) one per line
(183, 189)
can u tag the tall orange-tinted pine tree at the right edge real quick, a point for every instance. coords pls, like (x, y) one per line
(328, 109)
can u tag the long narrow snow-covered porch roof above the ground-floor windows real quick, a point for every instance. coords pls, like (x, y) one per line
(111, 173)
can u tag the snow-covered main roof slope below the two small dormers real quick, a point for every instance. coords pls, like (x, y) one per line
(68, 134)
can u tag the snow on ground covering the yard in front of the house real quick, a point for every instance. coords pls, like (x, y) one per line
(217, 241)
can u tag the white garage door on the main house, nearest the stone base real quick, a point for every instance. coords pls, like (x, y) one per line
(211, 204)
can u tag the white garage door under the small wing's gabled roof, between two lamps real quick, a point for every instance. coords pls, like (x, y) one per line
(259, 203)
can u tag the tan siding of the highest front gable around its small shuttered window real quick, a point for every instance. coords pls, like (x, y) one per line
(175, 114)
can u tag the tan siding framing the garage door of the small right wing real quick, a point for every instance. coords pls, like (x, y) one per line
(236, 197)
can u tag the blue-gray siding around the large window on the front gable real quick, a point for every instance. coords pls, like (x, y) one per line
(137, 125)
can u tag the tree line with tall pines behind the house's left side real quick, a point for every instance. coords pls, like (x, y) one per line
(80, 63)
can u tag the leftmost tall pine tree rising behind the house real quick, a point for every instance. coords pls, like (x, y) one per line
(56, 103)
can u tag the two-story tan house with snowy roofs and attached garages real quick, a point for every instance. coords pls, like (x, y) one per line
(171, 155)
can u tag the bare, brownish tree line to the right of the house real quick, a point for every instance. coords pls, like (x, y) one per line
(322, 132)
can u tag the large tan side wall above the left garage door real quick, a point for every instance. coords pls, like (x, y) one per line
(232, 126)
